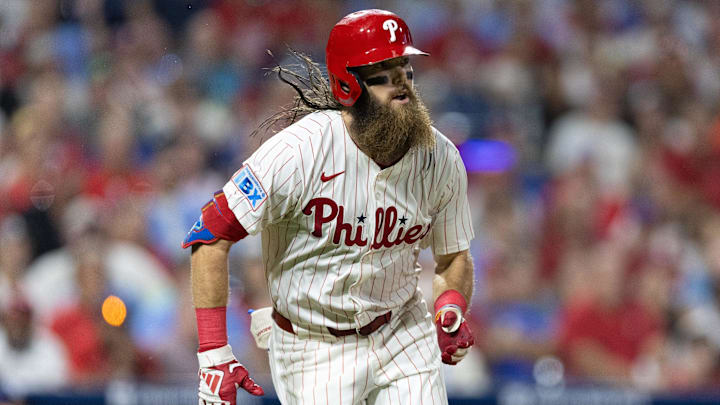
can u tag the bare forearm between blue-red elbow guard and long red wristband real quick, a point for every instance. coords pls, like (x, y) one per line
(209, 274)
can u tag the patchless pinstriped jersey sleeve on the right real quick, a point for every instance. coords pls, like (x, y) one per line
(452, 228)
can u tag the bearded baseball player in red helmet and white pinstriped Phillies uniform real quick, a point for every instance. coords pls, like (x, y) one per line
(345, 198)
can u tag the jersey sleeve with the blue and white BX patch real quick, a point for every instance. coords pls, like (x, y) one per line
(267, 186)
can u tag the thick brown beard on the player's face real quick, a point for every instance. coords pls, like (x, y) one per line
(385, 133)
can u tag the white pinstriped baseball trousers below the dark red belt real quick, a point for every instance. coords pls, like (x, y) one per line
(398, 364)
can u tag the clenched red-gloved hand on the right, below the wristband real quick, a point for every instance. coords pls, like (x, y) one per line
(454, 335)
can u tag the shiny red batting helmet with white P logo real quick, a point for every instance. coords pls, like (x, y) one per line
(363, 38)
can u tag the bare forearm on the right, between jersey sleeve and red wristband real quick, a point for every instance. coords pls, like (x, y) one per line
(454, 272)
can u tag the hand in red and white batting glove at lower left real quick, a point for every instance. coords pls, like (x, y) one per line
(220, 377)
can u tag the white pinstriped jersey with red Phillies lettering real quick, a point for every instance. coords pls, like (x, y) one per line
(341, 235)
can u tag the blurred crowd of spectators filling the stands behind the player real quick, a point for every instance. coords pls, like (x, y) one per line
(590, 130)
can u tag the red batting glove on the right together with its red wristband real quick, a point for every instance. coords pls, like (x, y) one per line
(454, 334)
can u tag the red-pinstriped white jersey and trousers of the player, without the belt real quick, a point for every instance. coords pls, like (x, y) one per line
(380, 219)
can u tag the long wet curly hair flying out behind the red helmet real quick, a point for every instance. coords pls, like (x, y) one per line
(311, 85)
